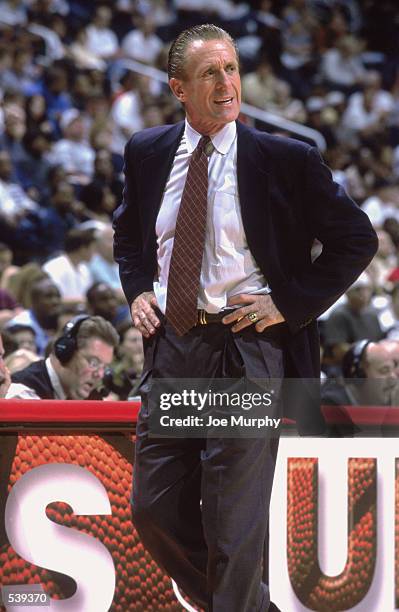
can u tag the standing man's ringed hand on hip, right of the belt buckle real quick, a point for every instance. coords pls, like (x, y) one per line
(258, 310)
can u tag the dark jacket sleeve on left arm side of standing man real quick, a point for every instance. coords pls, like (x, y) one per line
(128, 247)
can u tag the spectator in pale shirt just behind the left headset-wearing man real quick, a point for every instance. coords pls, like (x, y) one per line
(42, 316)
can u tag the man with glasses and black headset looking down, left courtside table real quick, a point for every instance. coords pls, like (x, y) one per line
(76, 365)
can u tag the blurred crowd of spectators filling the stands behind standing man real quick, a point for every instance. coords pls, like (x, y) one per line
(69, 100)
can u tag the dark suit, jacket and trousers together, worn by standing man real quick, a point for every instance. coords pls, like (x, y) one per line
(287, 200)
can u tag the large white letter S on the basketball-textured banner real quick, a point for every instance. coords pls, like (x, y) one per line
(42, 542)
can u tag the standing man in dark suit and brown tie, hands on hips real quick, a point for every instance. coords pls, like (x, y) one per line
(256, 297)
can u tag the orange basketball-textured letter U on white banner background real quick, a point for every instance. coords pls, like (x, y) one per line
(313, 588)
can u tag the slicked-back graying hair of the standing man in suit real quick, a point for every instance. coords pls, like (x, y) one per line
(178, 51)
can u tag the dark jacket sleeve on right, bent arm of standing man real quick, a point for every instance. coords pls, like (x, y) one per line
(349, 244)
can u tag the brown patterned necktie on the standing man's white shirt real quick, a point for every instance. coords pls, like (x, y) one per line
(188, 246)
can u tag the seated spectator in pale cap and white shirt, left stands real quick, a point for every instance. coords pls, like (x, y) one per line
(73, 152)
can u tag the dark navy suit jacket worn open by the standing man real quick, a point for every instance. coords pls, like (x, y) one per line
(287, 200)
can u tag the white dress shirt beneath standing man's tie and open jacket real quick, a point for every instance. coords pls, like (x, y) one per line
(228, 267)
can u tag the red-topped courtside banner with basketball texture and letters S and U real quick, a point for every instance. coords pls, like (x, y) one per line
(66, 530)
